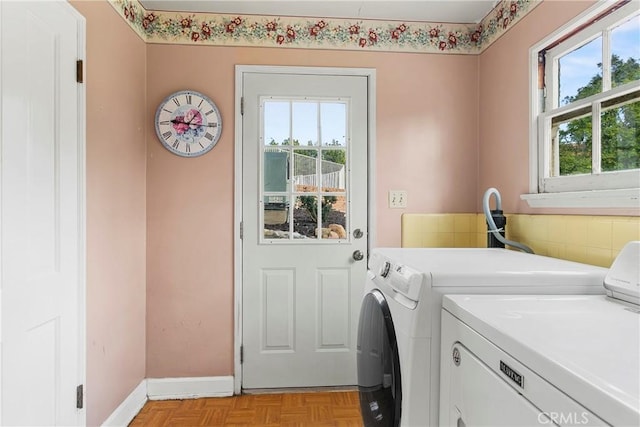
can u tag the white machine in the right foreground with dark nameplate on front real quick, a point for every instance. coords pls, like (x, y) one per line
(545, 359)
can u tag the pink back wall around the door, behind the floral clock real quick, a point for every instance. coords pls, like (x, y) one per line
(427, 122)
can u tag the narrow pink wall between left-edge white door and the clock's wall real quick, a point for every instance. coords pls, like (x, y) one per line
(116, 246)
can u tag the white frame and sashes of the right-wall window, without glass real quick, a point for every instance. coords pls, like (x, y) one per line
(600, 189)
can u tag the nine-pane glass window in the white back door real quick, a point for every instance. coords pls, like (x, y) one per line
(305, 171)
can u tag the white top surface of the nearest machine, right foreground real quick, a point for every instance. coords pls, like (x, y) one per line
(587, 346)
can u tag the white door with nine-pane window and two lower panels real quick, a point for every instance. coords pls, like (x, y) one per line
(304, 242)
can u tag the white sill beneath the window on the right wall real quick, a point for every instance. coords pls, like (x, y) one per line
(622, 198)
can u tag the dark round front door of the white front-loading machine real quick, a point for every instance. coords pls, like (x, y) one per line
(379, 383)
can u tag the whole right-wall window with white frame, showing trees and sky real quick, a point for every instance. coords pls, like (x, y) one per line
(586, 118)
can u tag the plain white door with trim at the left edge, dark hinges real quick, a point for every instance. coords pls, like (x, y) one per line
(41, 222)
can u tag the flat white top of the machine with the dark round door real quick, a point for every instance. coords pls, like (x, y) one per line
(462, 267)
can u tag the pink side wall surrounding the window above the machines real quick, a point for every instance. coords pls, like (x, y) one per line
(504, 108)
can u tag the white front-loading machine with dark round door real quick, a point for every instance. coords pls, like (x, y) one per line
(399, 329)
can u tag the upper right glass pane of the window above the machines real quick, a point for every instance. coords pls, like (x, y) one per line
(625, 52)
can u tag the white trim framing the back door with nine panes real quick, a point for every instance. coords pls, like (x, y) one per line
(240, 71)
